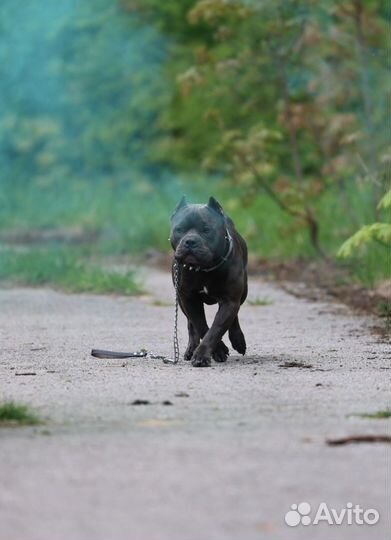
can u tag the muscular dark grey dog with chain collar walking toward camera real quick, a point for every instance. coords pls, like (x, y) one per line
(212, 263)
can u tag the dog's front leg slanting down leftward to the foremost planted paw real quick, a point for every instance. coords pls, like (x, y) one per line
(225, 316)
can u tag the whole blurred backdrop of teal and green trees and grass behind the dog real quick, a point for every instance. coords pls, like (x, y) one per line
(110, 110)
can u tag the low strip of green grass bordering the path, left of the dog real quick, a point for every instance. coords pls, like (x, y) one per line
(63, 268)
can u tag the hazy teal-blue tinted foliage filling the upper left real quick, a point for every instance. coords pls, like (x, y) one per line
(82, 89)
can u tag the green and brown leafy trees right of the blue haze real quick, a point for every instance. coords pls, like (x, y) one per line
(286, 99)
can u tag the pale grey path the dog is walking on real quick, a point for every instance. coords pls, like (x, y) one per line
(239, 445)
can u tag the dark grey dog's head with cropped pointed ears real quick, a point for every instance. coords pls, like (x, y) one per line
(198, 233)
